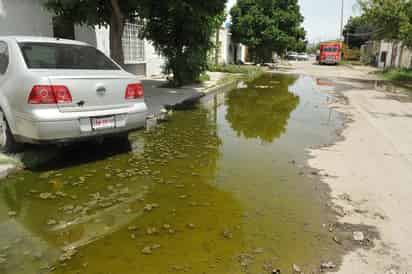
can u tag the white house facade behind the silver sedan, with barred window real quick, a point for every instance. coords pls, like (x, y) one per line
(29, 17)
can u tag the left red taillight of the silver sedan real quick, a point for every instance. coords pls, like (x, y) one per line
(50, 95)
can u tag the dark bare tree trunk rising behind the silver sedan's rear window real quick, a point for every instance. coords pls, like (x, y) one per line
(116, 33)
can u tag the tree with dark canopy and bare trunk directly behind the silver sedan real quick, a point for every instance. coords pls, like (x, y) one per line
(113, 13)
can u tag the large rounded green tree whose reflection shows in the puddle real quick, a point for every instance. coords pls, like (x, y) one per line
(267, 26)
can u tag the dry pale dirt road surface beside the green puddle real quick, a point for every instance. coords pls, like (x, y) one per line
(370, 170)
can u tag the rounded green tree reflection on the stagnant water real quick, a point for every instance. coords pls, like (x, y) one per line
(263, 109)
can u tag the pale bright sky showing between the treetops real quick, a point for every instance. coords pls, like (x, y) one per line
(322, 17)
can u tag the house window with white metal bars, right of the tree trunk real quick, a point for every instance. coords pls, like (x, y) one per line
(133, 46)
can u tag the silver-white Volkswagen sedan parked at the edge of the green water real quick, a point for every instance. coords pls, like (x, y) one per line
(54, 90)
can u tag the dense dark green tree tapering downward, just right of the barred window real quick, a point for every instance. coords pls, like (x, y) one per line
(181, 30)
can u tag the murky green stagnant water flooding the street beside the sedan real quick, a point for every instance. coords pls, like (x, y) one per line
(217, 189)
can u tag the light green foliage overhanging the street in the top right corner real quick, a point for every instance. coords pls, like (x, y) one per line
(391, 18)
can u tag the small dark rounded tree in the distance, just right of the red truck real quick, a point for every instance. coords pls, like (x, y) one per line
(358, 31)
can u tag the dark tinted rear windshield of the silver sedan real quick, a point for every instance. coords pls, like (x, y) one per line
(64, 56)
